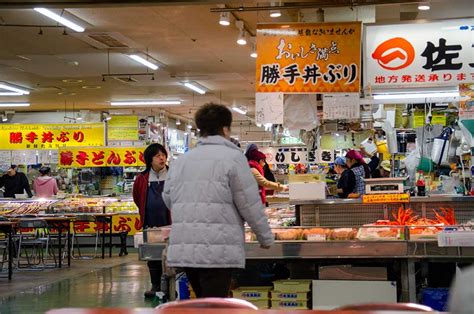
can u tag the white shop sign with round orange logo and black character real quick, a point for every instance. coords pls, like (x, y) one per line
(438, 53)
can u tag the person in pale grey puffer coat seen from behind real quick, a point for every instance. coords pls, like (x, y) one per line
(211, 192)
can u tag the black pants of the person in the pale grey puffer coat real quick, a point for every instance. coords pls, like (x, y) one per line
(210, 282)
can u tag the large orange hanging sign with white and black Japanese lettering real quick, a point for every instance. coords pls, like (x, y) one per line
(308, 58)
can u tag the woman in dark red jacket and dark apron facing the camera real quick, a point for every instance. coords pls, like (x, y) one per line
(147, 195)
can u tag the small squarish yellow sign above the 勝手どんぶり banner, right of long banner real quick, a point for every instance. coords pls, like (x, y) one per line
(122, 128)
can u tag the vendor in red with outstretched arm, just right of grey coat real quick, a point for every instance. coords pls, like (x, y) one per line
(256, 161)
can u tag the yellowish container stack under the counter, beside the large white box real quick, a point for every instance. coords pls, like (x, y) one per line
(291, 294)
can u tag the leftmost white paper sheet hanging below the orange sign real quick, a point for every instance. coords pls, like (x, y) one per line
(269, 108)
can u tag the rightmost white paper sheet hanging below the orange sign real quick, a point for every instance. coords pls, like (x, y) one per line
(341, 106)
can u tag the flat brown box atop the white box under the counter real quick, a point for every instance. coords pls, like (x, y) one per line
(347, 272)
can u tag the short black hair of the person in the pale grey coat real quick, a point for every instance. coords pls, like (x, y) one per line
(212, 118)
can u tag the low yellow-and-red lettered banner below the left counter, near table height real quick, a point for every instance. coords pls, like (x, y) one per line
(120, 223)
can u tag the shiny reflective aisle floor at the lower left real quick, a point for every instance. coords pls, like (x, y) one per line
(117, 286)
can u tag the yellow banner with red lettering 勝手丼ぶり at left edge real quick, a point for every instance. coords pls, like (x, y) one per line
(50, 136)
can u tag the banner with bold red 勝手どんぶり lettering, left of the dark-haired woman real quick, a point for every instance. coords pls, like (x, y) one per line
(77, 157)
